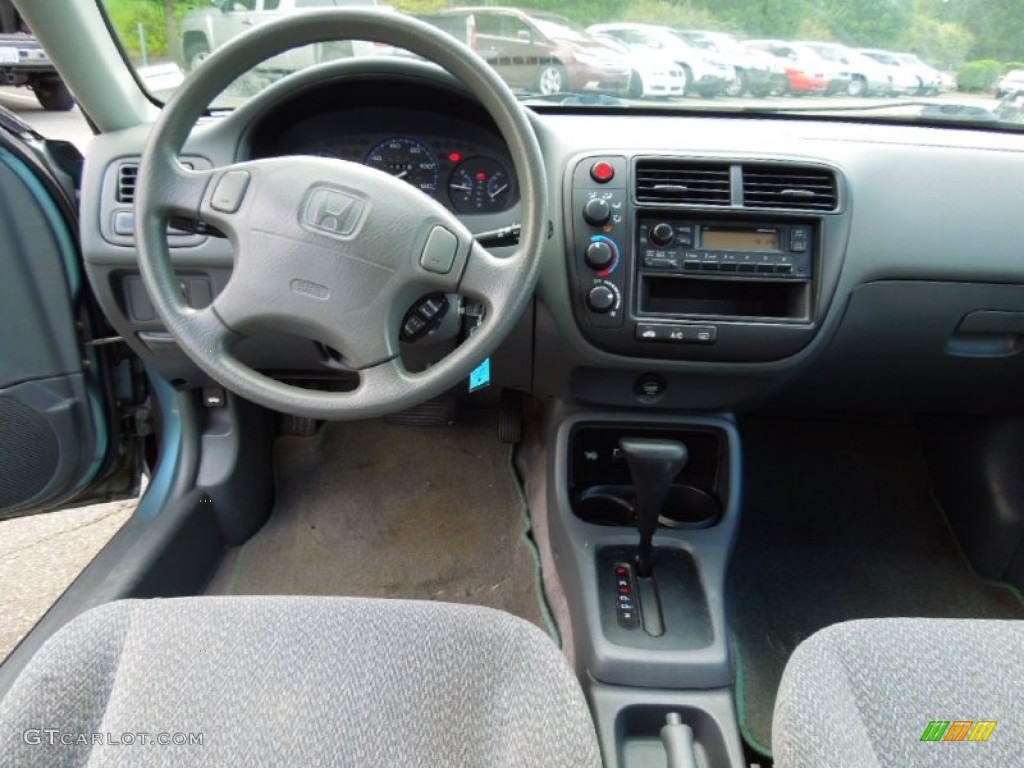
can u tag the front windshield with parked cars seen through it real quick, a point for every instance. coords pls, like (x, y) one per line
(950, 62)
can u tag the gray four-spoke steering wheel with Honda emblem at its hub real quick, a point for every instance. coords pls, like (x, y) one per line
(328, 249)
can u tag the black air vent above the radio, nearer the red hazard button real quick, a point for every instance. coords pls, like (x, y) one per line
(684, 182)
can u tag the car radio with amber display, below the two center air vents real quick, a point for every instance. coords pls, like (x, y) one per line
(729, 250)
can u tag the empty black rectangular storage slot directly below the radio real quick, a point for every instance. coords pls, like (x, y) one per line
(677, 295)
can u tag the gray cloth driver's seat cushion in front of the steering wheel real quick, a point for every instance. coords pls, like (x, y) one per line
(298, 681)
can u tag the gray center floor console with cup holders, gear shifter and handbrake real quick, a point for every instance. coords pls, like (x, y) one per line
(643, 518)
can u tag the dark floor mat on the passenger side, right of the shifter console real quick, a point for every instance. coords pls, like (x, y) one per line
(839, 524)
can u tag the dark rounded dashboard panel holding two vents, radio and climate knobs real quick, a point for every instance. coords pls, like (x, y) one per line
(728, 261)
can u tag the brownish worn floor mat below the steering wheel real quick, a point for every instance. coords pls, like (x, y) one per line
(373, 510)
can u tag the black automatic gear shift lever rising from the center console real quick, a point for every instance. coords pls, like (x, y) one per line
(654, 464)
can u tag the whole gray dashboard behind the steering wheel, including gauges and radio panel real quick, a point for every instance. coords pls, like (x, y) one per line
(890, 264)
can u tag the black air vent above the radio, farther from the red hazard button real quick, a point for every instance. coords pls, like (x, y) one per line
(789, 187)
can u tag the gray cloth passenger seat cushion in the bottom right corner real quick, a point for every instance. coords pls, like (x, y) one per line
(863, 694)
